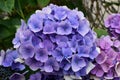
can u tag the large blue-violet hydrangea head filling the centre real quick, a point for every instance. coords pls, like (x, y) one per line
(57, 39)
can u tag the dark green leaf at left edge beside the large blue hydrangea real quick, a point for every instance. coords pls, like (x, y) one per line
(8, 28)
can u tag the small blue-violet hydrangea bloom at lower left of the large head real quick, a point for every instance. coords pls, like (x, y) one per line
(9, 60)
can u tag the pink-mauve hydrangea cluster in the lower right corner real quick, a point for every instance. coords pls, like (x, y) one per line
(108, 61)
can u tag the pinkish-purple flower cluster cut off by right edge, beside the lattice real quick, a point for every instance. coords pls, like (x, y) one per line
(113, 25)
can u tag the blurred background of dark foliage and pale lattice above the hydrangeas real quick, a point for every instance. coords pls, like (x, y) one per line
(12, 11)
